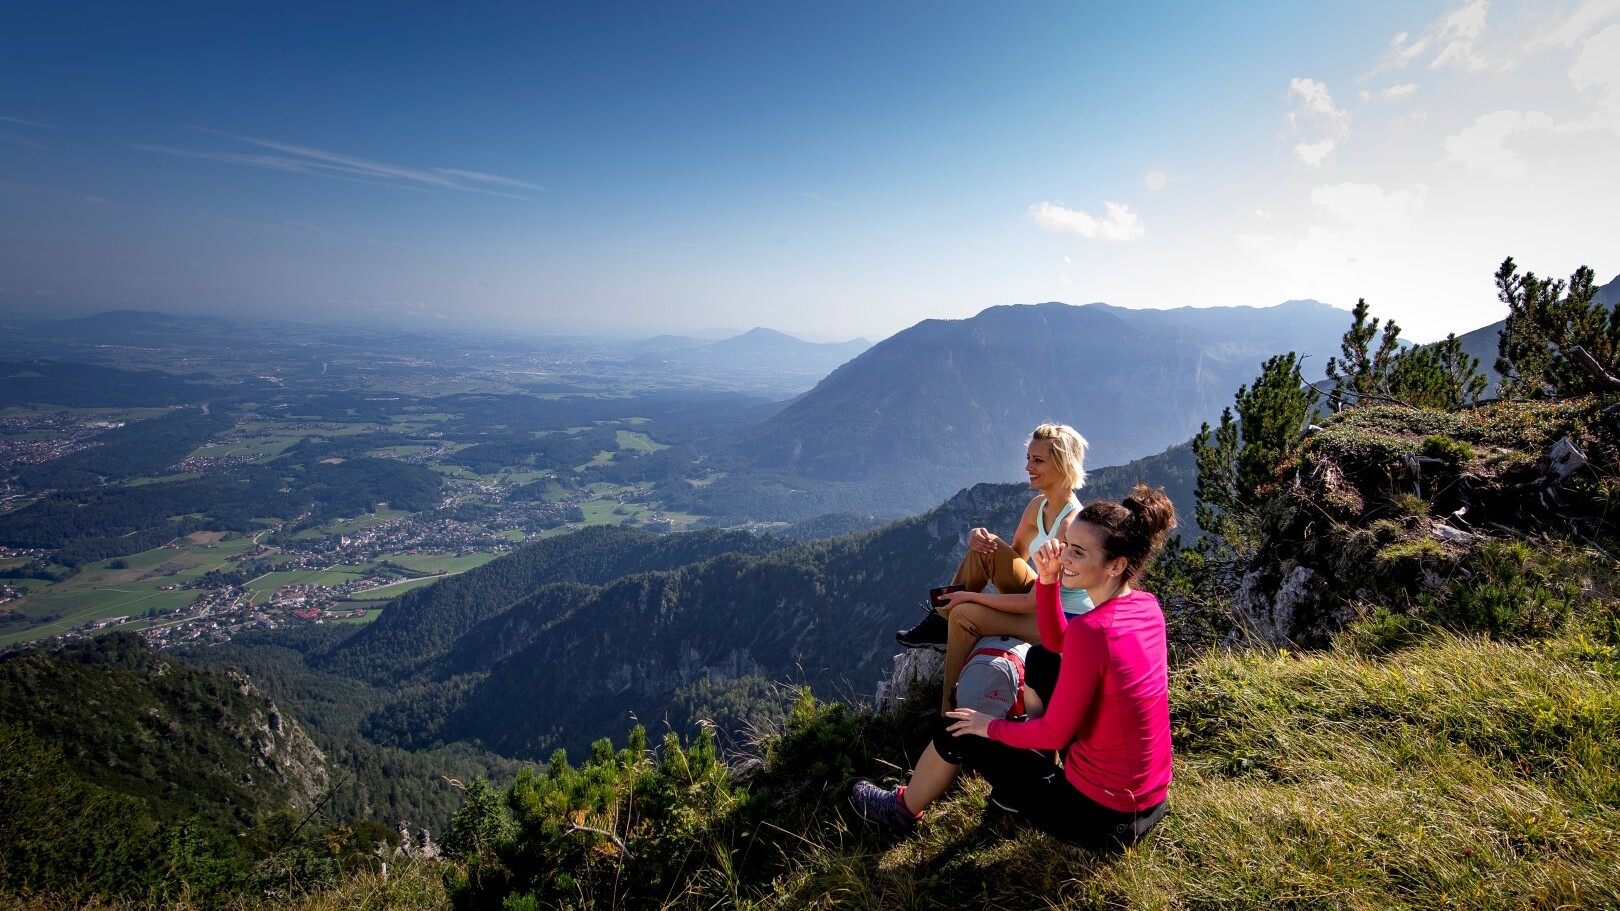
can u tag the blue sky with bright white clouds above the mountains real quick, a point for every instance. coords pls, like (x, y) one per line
(825, 169)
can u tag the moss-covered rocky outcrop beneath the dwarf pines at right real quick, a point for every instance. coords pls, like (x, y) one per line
(1388, 508)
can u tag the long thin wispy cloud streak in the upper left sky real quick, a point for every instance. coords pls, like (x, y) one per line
(322, 163)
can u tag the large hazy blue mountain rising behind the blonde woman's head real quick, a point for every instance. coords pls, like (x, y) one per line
(949, 403)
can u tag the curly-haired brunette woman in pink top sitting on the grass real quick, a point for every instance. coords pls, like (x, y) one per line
(1109, 714)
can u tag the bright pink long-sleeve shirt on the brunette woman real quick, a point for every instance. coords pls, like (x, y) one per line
(1112, 703)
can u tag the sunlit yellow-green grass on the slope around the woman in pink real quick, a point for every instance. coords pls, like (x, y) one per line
(1460, 772)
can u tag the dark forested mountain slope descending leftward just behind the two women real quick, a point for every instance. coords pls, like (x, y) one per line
(576, 661)
